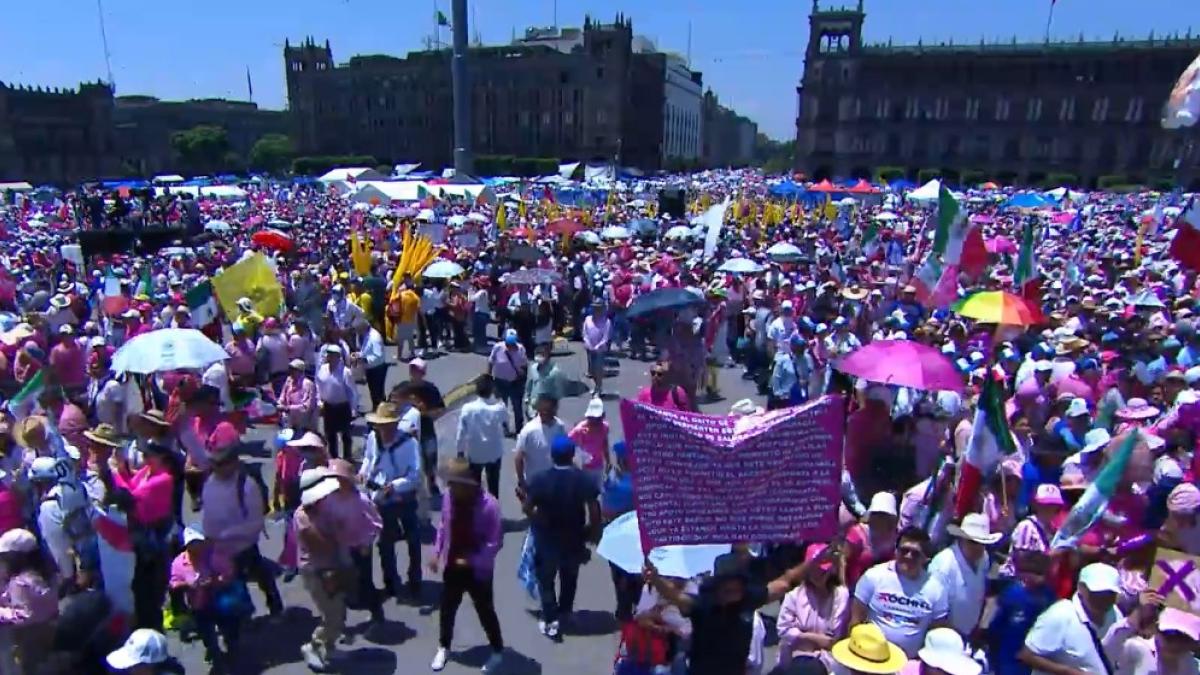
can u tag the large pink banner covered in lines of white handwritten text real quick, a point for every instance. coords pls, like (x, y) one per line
(711, 480)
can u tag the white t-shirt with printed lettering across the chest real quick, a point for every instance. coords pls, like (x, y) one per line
(902, 608)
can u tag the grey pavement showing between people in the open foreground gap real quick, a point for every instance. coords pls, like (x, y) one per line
(409, 640)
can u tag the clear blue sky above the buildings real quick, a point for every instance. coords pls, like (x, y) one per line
(751, 52)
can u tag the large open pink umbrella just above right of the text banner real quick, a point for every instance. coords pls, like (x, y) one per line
(903, 363)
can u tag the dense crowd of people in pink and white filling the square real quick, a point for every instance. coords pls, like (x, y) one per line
(129, 506)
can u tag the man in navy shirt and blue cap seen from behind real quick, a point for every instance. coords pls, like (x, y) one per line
(565, 512)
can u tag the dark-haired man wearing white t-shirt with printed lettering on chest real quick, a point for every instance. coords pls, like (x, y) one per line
(901, 598)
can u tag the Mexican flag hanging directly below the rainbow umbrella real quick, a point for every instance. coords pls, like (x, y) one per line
(989, 444)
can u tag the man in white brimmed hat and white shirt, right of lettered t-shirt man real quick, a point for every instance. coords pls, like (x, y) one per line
(963, 571)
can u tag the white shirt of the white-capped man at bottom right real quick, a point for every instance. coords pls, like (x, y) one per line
(1061, 635)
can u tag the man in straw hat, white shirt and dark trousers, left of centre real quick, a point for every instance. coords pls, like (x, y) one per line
(392, 474)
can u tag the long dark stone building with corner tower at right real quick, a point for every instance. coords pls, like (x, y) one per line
(1071, 112)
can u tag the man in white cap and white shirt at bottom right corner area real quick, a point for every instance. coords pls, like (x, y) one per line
(1067, 637)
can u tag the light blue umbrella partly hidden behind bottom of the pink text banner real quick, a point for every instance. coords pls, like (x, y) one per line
(622, 546)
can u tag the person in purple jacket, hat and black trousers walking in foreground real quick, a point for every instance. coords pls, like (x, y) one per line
(467, 542)
